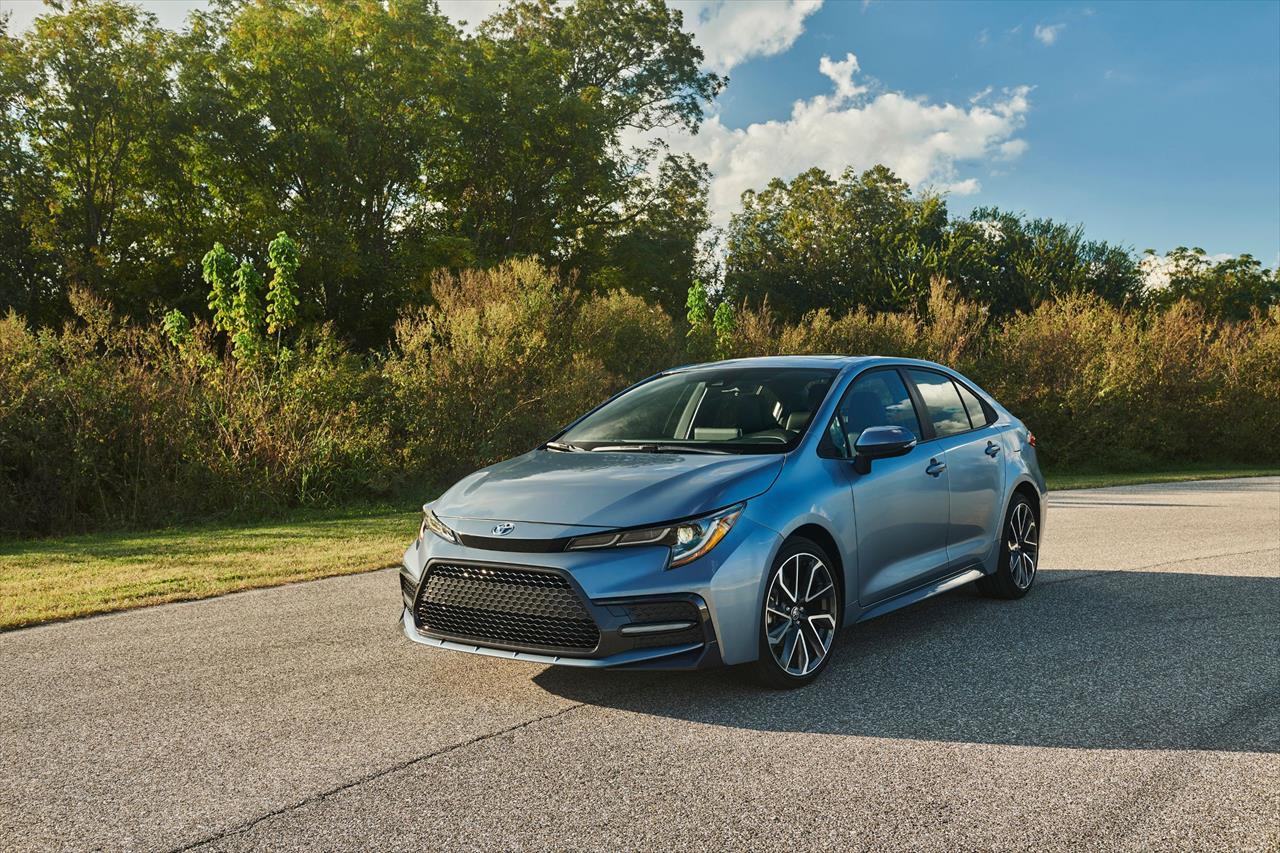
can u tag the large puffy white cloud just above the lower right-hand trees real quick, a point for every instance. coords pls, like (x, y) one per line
(924, 143)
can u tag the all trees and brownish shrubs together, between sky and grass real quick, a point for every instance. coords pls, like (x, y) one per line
(316, 253)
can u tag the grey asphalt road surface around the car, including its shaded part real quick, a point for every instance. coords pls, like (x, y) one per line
(1131, 703)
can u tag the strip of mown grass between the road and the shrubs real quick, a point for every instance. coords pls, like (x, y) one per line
(44, 581)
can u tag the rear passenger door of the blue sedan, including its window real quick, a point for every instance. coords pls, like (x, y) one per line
(975, 467)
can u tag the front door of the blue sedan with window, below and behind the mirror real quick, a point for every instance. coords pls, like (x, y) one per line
(900, 507)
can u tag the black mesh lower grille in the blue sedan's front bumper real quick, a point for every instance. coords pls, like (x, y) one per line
(509, 606)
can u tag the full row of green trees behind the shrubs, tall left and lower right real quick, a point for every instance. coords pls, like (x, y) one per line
(391, 144)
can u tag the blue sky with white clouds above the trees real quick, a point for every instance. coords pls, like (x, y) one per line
(1155, 125)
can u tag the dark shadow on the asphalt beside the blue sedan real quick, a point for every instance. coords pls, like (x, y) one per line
(1109, 660)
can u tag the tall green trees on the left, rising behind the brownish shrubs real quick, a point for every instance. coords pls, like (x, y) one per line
(386, 140)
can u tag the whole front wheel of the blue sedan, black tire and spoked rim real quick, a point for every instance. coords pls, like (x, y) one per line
(798, 630)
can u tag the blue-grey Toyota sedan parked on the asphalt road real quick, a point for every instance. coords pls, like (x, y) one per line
(735, 513)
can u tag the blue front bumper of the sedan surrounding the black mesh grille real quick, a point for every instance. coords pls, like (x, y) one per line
(725, 587)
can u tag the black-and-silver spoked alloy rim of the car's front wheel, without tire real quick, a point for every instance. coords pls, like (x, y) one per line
(801, 614)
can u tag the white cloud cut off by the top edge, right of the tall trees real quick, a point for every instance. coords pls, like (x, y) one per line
(733, 31)
